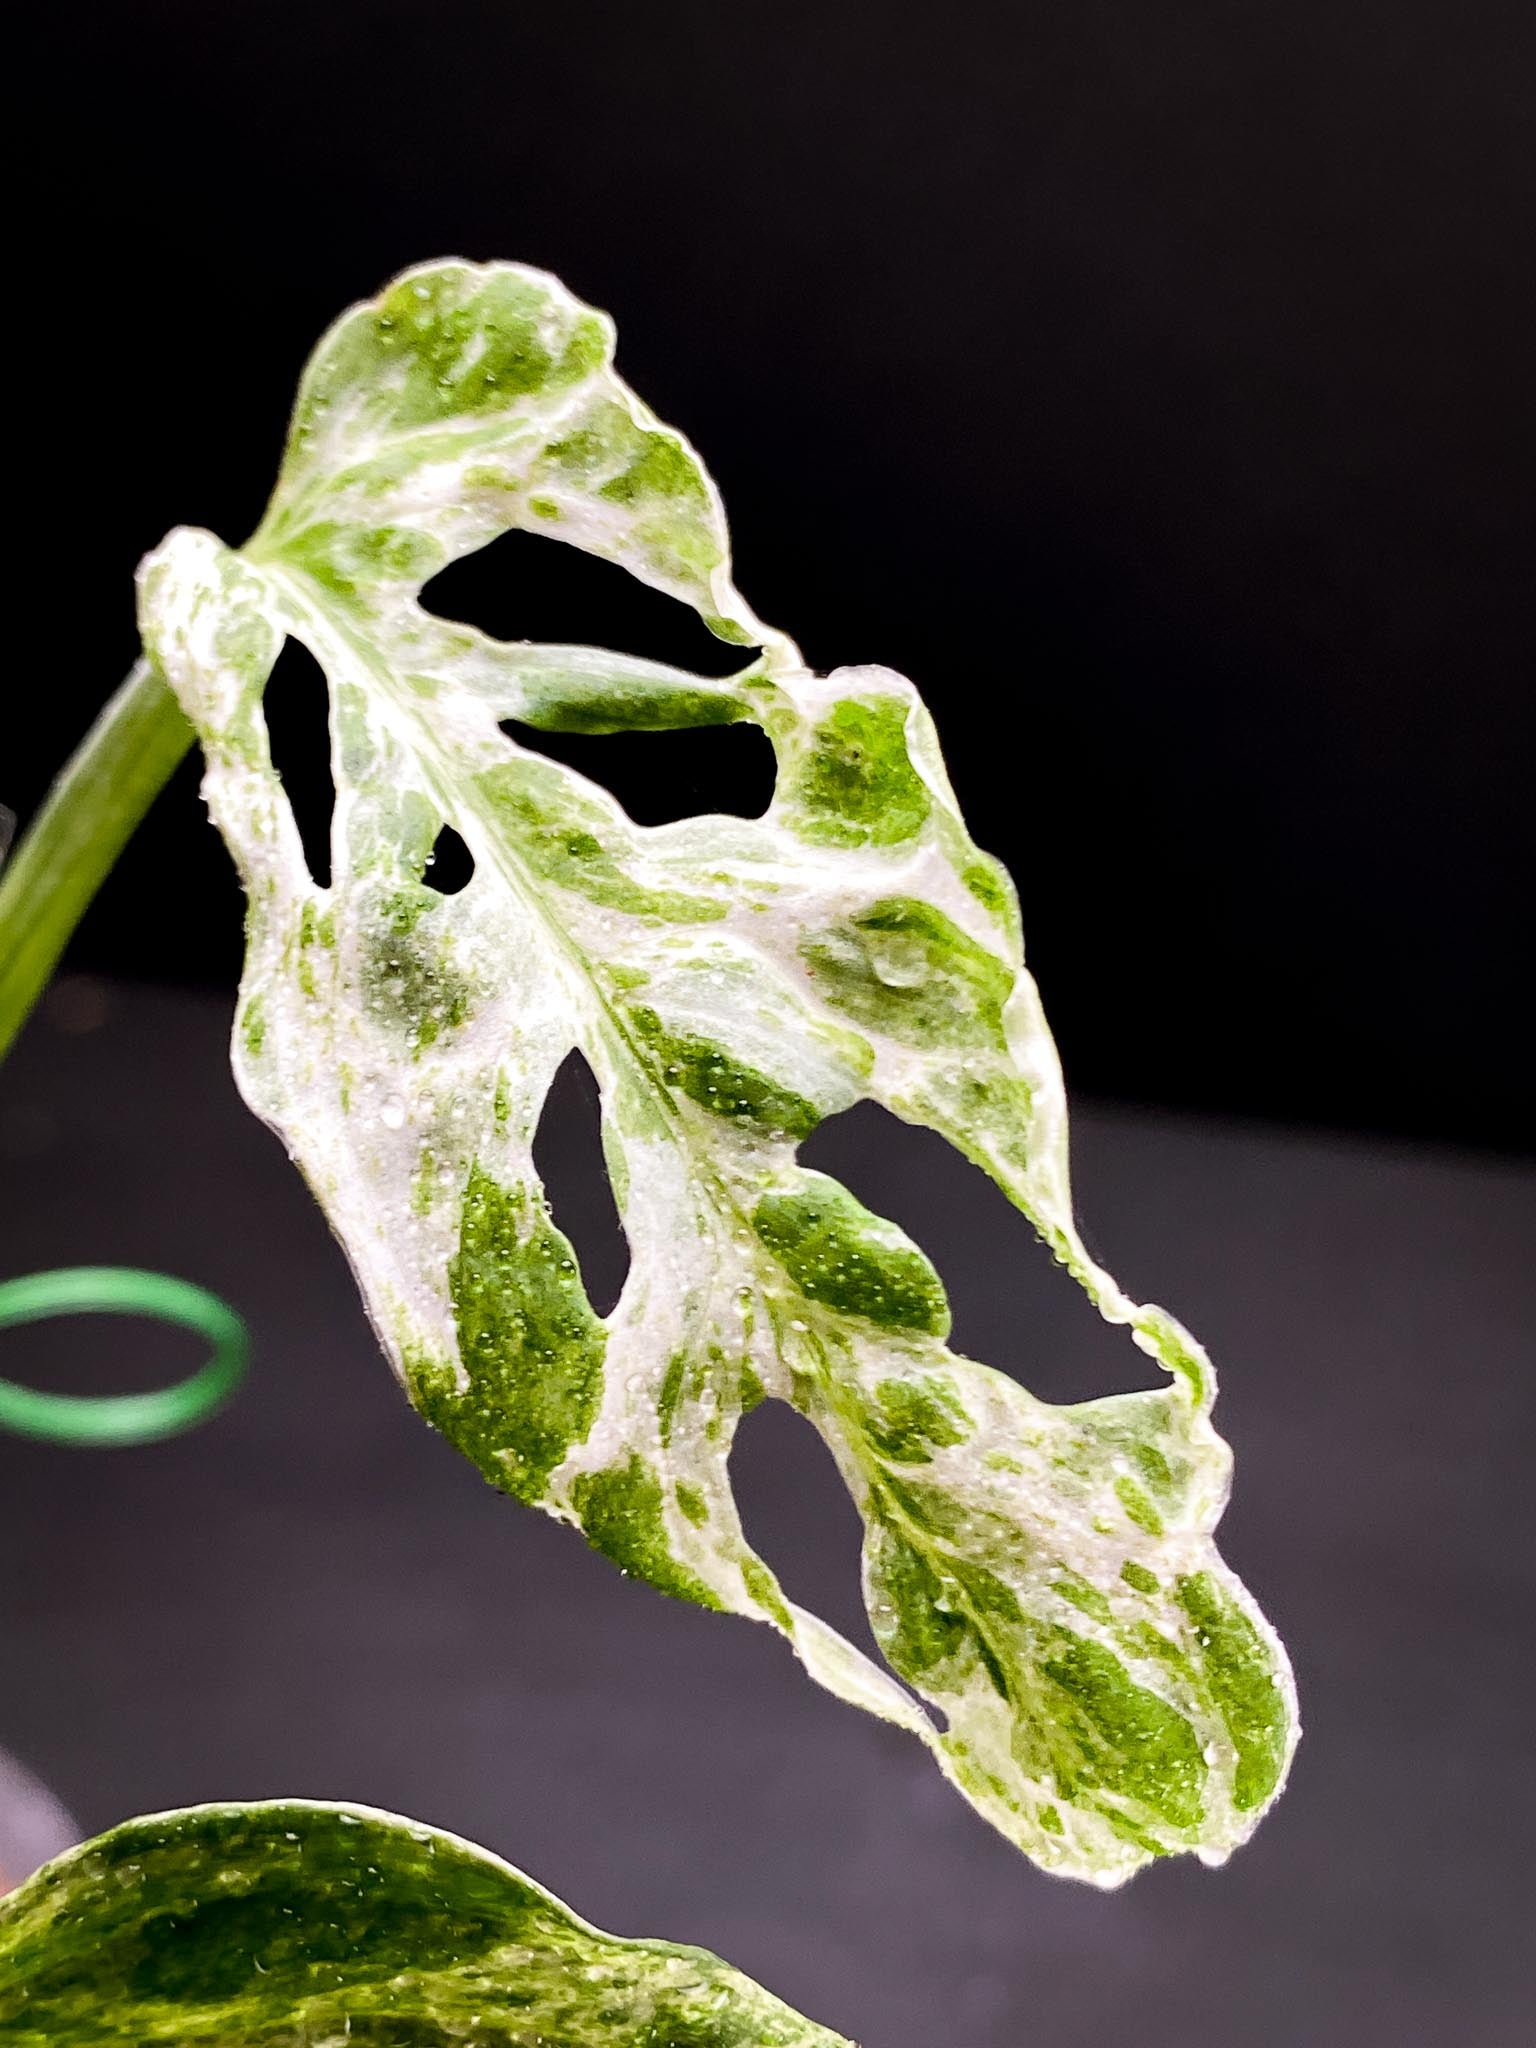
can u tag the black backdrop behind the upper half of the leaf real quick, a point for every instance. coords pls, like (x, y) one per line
(1144, 382)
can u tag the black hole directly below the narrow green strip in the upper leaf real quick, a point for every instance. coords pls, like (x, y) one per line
(665, 777)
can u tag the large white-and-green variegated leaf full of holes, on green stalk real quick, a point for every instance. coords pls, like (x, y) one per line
(1041, 1576)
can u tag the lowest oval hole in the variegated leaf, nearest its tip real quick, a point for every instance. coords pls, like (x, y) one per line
(800, 1517)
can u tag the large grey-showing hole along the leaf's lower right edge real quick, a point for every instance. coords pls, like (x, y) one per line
(1015, 1308)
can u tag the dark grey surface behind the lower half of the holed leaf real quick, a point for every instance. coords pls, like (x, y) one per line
(316, 1596)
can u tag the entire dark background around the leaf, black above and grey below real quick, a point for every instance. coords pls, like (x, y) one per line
(1142, 380)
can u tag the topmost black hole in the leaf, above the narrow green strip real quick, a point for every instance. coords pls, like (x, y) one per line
(531, 587)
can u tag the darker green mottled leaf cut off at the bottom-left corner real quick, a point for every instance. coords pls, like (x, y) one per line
(298, 1926)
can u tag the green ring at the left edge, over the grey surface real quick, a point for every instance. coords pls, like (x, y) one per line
(122, 1418)
